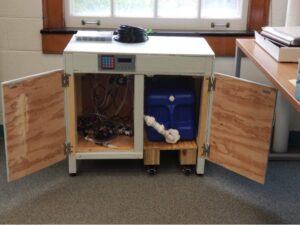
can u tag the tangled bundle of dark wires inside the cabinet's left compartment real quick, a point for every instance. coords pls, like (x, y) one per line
(109, 119)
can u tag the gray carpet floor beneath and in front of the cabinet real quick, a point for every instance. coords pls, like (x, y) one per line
(121, 192)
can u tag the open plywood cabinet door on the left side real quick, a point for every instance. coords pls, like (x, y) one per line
(33, 123)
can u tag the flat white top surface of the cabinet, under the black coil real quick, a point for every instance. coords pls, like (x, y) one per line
(185, 46)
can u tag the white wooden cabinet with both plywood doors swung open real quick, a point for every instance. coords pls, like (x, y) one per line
(40, 112)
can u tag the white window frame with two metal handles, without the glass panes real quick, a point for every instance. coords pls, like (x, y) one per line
(183, 24)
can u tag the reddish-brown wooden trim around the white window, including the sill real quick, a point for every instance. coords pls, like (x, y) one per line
(55, 36)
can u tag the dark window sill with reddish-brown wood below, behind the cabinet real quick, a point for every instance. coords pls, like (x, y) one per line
(222, 42)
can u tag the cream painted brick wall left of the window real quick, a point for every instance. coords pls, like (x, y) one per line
(20, 41)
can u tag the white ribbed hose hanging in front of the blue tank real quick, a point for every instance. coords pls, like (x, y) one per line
(172, 136)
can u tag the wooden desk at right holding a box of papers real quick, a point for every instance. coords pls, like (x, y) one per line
(282, 75)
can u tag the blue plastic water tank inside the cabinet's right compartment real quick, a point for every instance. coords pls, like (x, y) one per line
(172, 102)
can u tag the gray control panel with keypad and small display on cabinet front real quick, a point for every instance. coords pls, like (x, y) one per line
(119, 63)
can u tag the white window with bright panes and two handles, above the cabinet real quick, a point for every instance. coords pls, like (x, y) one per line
(159, 14)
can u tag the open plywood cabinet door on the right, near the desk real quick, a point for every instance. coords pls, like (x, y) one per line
(241, 126)
